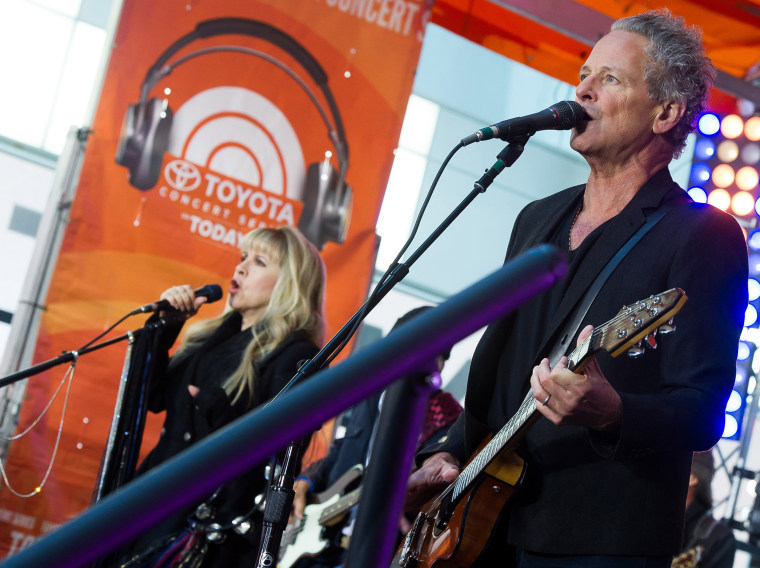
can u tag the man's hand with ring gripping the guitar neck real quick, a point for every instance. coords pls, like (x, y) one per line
(568, 398)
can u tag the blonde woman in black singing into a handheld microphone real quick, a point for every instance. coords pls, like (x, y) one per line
(224, 368)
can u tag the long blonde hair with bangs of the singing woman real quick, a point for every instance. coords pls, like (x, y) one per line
(296, 304)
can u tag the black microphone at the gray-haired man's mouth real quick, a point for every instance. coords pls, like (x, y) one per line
(563, 115)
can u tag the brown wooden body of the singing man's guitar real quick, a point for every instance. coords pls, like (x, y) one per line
(446, 537)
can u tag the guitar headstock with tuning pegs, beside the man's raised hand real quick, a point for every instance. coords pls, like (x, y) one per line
(639, 321)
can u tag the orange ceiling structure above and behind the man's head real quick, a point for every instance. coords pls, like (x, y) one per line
(556, 36)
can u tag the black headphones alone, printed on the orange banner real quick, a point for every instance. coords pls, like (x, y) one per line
(145, 131)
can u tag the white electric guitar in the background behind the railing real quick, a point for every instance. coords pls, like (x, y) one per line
(309, 536)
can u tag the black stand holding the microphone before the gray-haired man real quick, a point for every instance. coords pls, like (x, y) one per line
(280, 495)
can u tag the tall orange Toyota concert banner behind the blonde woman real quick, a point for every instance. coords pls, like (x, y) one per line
(215, 118)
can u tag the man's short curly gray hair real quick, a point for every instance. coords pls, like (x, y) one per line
(677, 70)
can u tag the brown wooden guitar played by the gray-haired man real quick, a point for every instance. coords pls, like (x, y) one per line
(452, 529)
